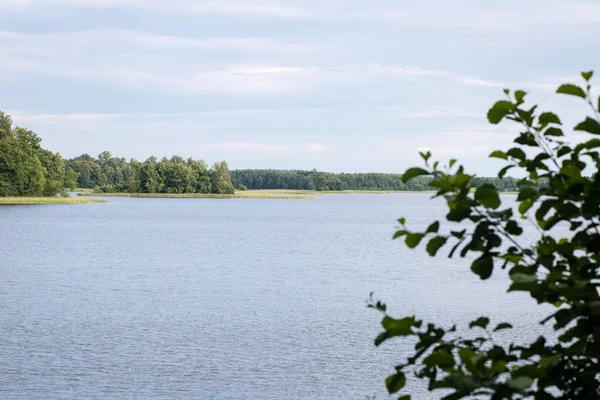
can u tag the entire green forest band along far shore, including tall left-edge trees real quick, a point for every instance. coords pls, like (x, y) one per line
(27, 169)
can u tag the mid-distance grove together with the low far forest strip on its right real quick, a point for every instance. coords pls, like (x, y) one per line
(177, 175)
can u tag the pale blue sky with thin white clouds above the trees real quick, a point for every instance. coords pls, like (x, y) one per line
(336, 85)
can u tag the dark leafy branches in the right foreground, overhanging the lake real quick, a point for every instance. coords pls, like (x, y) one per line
(562, 272)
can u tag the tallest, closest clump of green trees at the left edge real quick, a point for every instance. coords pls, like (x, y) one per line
(27, 169)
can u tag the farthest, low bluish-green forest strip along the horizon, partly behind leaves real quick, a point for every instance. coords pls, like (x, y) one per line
(324, 181)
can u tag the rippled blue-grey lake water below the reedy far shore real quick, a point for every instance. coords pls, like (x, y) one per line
(223, 298)
